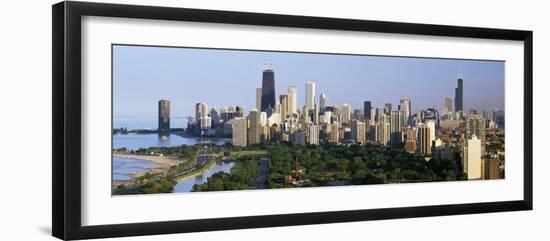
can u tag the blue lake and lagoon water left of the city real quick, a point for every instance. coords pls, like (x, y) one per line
(122, 166)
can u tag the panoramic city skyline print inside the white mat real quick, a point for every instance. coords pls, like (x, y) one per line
(201, 119)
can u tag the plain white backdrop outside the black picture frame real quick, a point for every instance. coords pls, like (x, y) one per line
(25, 98)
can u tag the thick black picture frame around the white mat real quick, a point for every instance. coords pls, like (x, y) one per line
(66, 75)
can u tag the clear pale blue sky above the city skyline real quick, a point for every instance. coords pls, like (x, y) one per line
(143, 75)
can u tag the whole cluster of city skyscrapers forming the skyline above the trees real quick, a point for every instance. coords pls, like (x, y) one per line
(424, 133)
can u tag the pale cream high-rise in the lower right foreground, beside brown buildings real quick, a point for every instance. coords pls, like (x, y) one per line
(472, 158)
